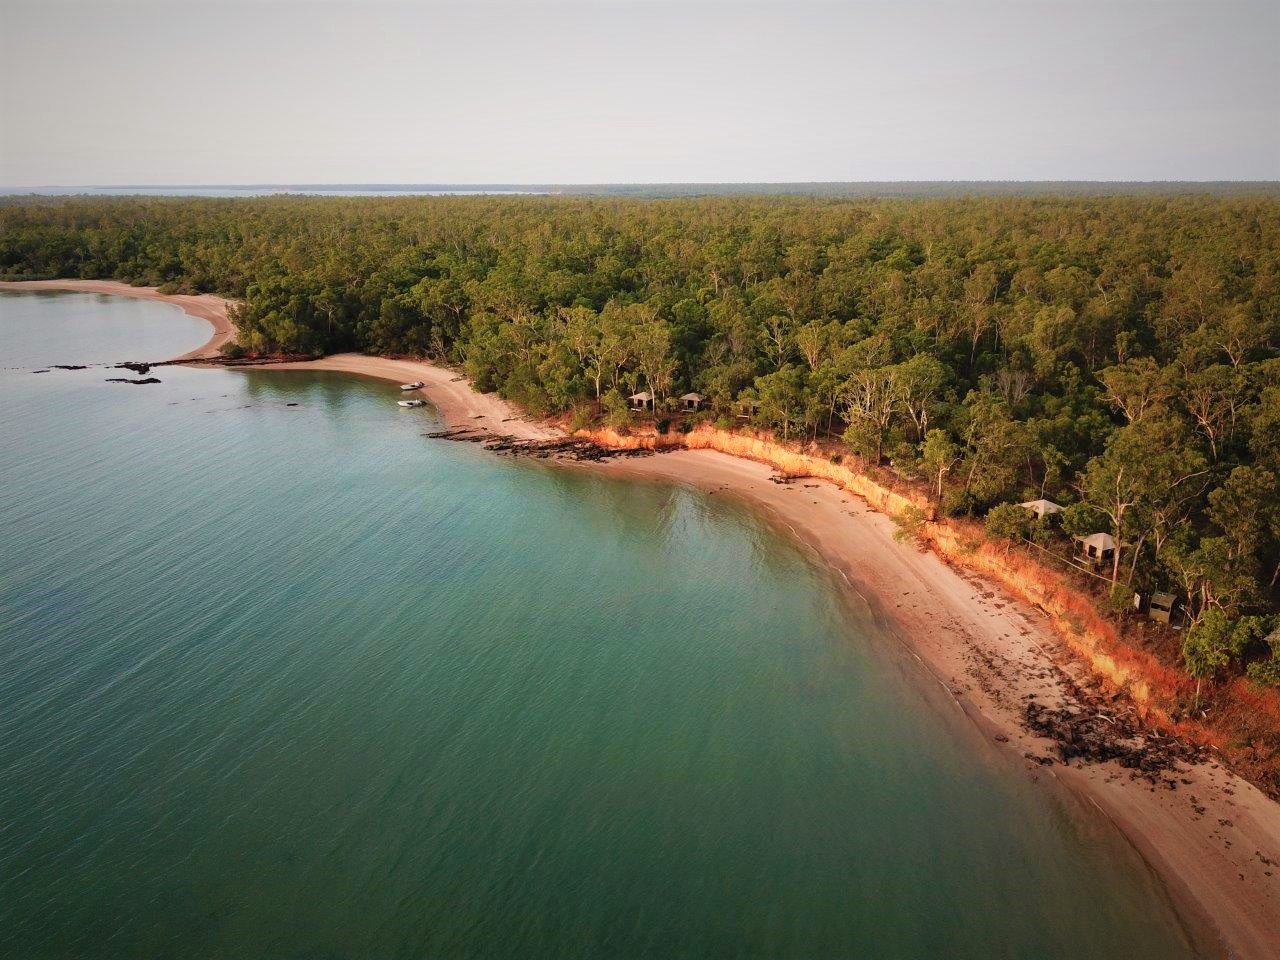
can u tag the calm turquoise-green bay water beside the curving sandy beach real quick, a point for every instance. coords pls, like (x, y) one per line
(296, 682)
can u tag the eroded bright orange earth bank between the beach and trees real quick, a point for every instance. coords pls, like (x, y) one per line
(1155, 688)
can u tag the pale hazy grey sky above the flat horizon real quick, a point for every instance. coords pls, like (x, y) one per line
(294, 92)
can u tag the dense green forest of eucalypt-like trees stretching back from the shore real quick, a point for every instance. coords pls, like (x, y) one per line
(1117, 355)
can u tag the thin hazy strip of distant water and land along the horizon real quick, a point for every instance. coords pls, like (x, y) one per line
(867, 189)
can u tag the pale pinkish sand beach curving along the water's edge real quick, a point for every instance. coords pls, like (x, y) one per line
(1206, 840)
